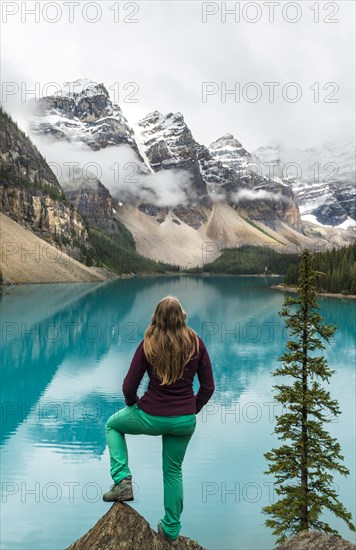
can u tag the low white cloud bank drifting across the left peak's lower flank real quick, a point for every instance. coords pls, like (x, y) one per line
(118, 168)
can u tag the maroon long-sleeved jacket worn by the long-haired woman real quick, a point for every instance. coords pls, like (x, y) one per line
(170, 399)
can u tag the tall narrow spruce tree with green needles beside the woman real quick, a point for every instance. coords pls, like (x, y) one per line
(302, 465)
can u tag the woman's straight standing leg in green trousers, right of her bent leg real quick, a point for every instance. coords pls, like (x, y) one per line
(173, 452)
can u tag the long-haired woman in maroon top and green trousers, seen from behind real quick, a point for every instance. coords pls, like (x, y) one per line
(172, 353)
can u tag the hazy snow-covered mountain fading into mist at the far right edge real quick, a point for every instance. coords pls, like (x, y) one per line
(322, 178)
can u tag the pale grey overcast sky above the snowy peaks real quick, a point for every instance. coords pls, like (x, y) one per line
(169, 53)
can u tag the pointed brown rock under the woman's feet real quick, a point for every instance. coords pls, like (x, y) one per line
(123, 527)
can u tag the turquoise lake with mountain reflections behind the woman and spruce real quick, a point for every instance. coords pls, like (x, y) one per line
(65, 351)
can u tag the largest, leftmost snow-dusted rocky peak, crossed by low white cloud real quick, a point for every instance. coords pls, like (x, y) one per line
(83, 113)
